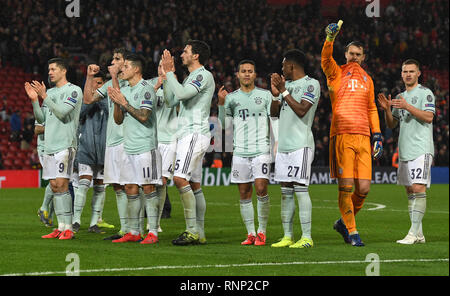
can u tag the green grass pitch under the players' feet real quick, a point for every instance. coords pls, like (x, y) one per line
(23, 251)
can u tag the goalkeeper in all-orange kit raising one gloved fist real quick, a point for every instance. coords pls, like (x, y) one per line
(354, 121)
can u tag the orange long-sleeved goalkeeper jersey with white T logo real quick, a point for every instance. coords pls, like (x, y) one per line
(352, 96)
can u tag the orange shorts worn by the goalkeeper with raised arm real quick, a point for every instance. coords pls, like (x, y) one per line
(350, 157)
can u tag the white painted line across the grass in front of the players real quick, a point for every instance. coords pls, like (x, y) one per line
(226, 266)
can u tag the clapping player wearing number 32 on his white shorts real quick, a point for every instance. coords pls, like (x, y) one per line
(414, 110)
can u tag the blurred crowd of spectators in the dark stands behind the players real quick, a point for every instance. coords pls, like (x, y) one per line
(32, 31)
